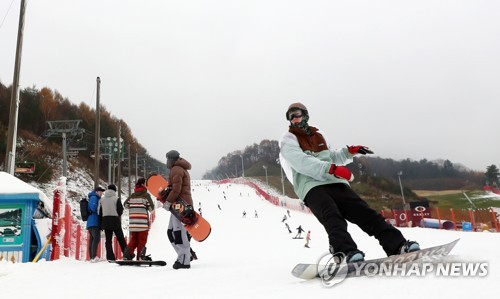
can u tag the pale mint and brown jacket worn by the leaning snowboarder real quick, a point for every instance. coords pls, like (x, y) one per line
(306, 159)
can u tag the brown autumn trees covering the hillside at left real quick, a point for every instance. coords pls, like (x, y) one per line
(39, 106)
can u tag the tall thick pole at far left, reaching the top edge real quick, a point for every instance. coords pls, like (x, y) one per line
(10, 156)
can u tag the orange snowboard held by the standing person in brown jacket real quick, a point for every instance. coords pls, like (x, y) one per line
(199, 229)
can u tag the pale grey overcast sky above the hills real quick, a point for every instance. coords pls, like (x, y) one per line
(409, 79)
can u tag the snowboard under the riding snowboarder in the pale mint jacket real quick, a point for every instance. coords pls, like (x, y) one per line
(331, 270)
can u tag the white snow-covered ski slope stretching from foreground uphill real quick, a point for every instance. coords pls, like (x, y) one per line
(248, 258)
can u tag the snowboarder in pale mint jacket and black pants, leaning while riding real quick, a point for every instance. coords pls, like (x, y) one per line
(320, 180)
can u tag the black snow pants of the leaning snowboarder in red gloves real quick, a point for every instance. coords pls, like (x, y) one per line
(333, 204)
